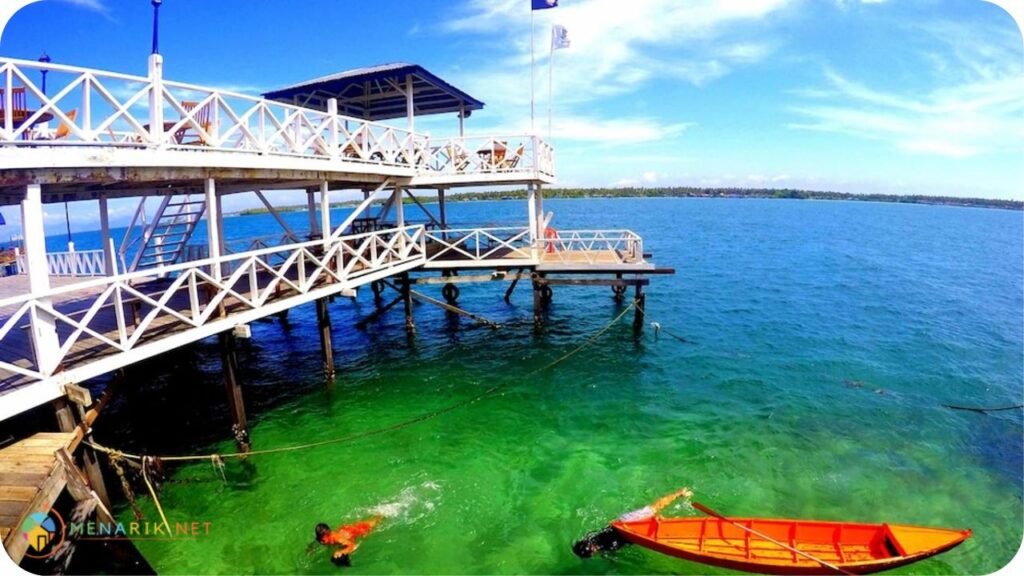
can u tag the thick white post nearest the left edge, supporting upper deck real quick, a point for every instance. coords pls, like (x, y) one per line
(45, 335)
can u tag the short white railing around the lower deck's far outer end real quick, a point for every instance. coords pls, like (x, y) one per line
(593, 248)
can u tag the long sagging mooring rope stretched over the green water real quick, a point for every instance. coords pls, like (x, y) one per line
(377, 432)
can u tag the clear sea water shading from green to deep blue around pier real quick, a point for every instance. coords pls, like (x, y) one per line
(823, 339)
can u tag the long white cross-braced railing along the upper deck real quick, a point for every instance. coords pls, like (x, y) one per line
(94, 108)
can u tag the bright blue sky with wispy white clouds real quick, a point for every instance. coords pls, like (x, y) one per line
(895, 97)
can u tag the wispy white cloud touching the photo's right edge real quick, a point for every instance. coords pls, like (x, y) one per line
(973, 106)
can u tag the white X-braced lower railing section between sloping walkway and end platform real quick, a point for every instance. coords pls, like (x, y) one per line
(479, 244)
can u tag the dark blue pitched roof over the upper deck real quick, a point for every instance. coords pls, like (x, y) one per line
(378, 93)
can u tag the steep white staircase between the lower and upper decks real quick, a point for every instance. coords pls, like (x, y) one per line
(165, 239)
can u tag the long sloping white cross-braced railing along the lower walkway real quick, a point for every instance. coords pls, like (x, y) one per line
(124, 314)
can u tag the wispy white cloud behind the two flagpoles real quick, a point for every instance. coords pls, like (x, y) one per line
(617, 50)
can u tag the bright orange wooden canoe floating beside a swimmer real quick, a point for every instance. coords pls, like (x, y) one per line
(858, 549)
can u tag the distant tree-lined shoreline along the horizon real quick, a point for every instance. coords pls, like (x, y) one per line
(681, 192)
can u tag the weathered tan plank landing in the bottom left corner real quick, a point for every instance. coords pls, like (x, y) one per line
(31, 479)
